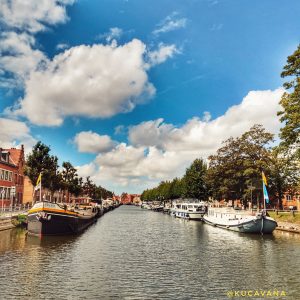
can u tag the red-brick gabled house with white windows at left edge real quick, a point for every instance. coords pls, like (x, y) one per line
(11, 176)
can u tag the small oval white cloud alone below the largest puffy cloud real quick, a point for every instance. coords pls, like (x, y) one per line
(91, 142)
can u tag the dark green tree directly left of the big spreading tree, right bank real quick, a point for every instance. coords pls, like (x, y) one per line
(195, 180)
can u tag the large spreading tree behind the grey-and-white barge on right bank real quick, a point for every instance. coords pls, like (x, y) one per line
(238, 164)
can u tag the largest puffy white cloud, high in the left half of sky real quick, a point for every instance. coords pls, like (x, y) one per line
(91, 81)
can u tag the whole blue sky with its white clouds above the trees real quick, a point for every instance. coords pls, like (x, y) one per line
(131, 92)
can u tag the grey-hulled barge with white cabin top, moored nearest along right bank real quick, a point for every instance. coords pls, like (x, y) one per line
(239, 221)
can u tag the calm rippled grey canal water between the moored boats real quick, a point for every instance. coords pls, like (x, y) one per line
(132, 253)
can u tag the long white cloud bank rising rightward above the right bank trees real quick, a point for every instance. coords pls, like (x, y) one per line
(160, 151)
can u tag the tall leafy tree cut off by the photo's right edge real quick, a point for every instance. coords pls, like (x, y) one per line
(290, 102)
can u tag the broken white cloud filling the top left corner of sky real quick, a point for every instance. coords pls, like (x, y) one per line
(20, 20)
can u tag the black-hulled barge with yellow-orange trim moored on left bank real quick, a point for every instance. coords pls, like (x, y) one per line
(48, 218)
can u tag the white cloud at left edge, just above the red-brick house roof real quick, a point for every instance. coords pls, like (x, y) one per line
(14, 133)
